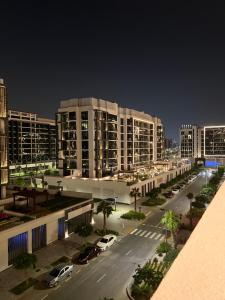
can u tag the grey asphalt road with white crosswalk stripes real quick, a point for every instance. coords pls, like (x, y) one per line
(109, 274)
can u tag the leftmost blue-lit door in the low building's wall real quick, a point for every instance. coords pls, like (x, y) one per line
(16, 246)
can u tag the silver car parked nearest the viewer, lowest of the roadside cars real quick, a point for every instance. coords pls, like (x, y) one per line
(58, 274)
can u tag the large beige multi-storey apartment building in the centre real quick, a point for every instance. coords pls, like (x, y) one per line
(97, 138)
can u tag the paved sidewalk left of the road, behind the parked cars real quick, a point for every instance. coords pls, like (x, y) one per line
(67, 247)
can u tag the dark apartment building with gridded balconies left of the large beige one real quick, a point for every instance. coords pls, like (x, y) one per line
(32, 140)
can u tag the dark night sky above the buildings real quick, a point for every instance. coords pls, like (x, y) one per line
(166, 58)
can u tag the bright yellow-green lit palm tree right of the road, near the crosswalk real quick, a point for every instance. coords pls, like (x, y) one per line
(171, 223)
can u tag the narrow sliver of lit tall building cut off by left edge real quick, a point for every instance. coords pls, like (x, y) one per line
(3, 140)
